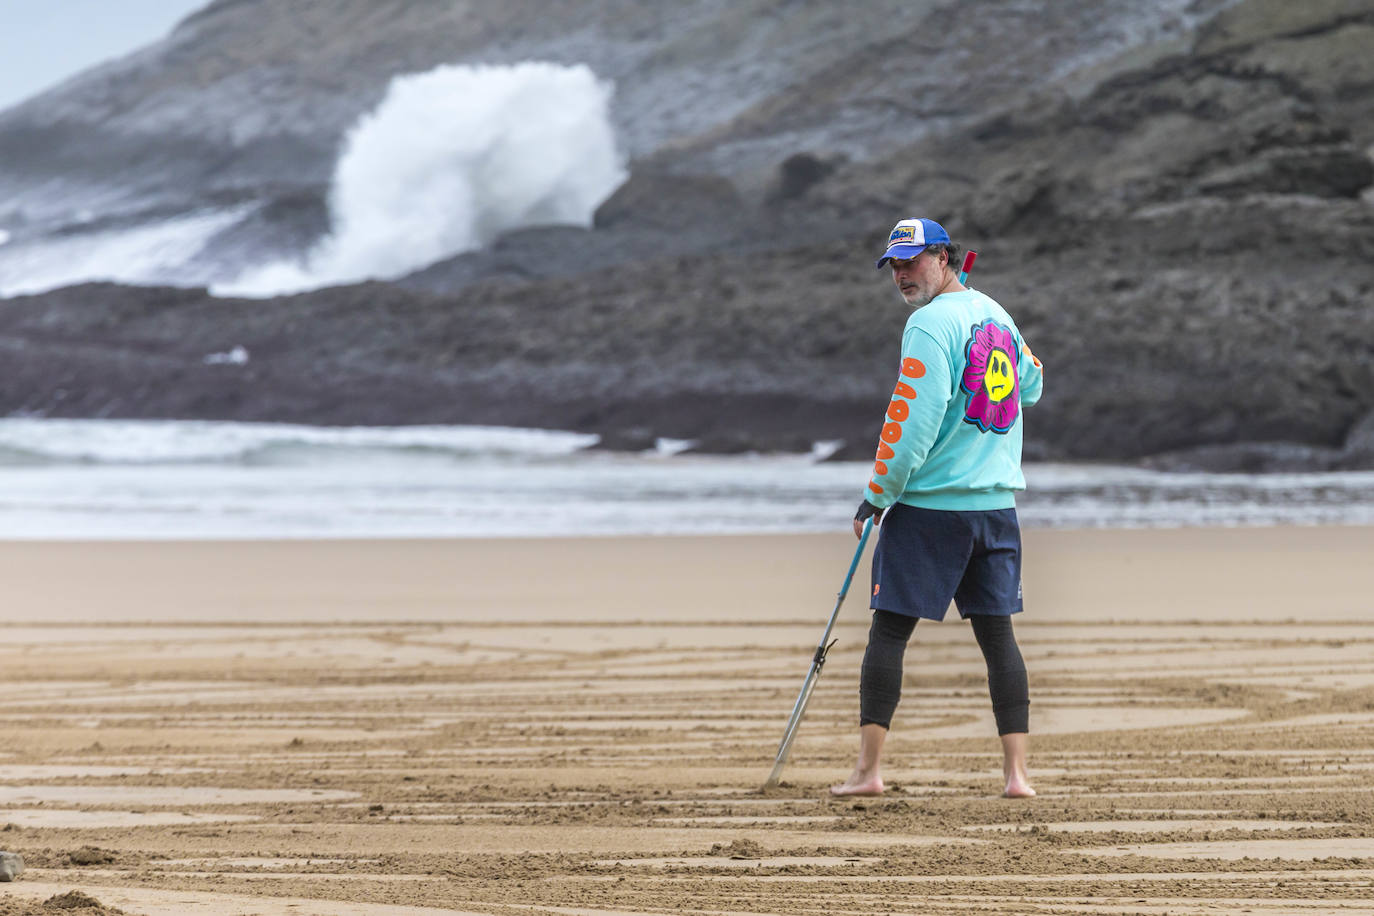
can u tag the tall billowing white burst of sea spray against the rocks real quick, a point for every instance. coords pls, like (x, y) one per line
(450, 160)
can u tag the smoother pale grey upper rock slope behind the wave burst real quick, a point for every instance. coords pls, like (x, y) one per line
(249, 100)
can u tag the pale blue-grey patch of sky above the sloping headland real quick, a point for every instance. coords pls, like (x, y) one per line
(46, 42)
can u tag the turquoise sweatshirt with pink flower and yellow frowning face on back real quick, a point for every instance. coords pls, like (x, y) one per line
(953, 435)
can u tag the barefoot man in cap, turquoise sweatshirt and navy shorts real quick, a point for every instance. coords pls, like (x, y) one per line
(943, 487)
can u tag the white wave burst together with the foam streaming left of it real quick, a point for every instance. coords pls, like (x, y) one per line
(449, 160)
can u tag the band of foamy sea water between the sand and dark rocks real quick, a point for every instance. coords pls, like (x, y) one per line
(135, 480)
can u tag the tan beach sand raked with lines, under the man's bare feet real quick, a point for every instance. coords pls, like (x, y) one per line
(582, 727)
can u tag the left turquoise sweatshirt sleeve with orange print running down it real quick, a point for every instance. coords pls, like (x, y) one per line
(914, 417)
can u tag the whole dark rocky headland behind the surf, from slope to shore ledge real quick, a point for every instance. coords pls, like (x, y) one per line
(1184, 227)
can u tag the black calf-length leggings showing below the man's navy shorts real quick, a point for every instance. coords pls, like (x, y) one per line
(880, 683)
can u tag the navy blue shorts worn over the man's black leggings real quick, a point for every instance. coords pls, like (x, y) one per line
(927, 558)
